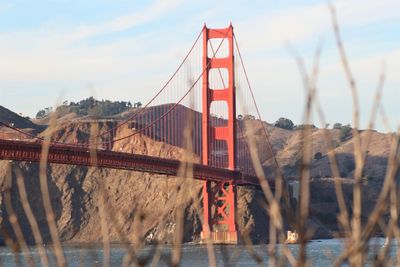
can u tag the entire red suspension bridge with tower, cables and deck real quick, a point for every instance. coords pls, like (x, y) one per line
(210, 95)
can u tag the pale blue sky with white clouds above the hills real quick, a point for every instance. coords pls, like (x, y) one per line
(126, 50)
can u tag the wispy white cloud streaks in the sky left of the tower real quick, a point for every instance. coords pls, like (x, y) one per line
(45, 54)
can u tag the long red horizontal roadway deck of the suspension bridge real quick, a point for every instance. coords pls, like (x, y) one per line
(74, 155)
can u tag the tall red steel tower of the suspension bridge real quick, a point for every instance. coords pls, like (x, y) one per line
(219, 198)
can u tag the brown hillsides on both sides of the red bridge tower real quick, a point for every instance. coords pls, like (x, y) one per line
(75, 191)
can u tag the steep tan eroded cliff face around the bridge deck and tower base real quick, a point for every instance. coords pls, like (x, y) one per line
(139, 205)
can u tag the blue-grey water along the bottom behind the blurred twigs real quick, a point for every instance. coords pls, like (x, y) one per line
(320, 253)
